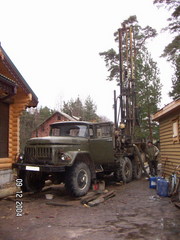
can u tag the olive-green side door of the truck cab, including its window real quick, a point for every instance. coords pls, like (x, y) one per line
(101, 145)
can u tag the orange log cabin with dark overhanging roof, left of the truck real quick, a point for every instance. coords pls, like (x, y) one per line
(15, 96)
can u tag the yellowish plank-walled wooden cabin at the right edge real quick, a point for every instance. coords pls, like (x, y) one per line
(169, 124)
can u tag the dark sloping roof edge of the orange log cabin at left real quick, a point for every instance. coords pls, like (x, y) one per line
(16, 76)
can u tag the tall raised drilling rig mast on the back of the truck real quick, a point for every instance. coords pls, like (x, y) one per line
(125, 106)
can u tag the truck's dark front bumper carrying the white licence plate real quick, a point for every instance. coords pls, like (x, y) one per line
(38, 168)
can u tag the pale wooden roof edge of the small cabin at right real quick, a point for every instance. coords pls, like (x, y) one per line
(169, 108)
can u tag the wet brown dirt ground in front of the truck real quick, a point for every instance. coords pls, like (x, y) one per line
(136, 212)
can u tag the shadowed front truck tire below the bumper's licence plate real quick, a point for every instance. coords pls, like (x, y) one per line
(33, 181)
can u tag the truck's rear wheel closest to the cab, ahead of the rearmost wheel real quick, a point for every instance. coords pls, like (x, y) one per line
(124, 170)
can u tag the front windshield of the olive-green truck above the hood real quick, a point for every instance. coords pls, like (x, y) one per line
(69, 130)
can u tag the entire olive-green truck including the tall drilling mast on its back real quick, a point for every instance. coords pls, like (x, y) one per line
(76, 152)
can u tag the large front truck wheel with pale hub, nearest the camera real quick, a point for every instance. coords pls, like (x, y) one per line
(78, 179)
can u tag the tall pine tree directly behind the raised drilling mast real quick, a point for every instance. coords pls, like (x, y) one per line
(147, 80)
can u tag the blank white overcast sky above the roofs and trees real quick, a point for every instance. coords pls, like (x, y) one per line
(55, 44)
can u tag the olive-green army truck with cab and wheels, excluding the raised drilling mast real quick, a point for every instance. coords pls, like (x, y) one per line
(75, 153)
